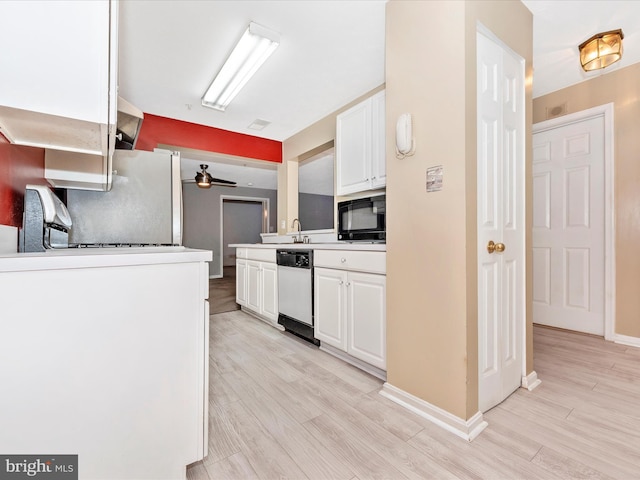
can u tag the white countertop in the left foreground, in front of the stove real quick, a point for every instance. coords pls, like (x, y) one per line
(100, 257)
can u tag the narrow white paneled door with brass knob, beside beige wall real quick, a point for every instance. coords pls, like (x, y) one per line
(501, 154)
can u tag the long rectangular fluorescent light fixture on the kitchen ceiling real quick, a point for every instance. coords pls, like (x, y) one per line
(255, 46)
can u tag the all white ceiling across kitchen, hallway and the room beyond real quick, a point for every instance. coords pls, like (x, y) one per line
(331, 52)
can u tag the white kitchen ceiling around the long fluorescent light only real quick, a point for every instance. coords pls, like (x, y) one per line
(330, 53)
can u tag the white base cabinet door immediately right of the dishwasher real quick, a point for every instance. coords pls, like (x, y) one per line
(330, 308)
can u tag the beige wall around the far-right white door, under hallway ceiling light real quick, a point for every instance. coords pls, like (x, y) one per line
(622, 87)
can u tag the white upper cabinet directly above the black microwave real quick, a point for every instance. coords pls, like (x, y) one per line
(360, 146)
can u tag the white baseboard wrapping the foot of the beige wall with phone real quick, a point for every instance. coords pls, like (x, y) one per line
(467, 429)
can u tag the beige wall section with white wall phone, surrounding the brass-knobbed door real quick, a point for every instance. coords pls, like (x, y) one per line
(431, 245)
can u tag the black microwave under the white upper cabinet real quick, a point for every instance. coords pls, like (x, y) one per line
(363, 219)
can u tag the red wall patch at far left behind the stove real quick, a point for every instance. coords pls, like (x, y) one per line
(19, 166)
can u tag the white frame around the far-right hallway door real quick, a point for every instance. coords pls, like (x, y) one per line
(606, 112)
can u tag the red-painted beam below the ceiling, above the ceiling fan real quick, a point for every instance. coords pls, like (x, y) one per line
(167, 131)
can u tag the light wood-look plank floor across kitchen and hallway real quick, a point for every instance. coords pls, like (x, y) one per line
(280, 408)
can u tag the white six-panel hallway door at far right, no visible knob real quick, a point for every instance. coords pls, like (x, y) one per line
(568, 226)
